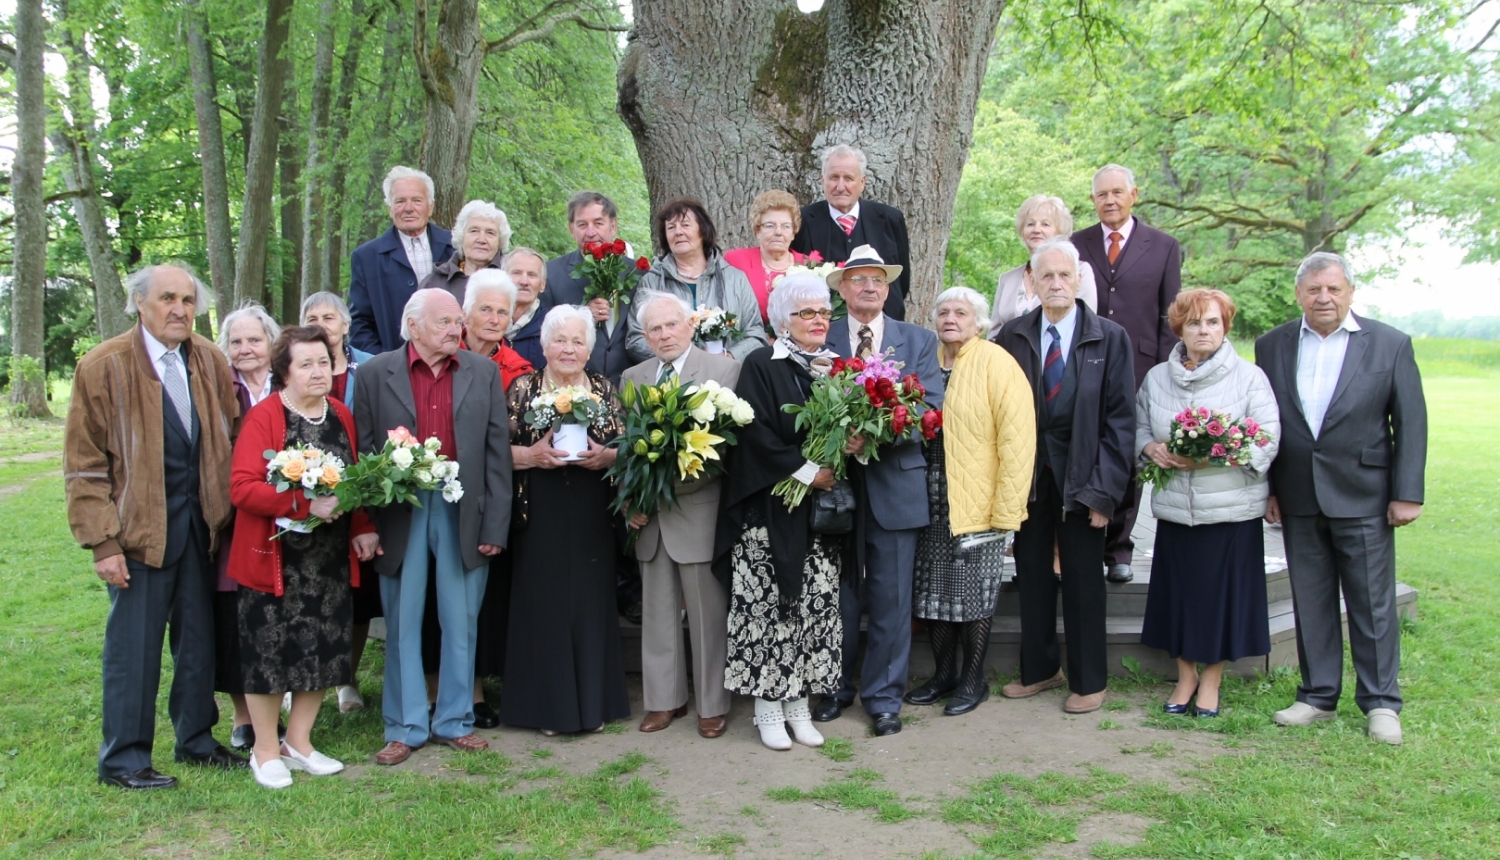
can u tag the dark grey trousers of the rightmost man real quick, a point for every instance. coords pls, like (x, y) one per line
(1355, 556)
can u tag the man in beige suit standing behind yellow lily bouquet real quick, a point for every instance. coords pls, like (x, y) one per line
(676, 547)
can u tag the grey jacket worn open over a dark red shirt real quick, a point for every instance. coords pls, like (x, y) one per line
(481, 432)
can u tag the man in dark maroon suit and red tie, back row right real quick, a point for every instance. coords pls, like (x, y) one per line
(1139, 274)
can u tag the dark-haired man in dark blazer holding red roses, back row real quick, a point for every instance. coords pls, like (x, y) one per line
(592, 217)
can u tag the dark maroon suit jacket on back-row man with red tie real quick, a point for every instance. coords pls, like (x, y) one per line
(1138, 290)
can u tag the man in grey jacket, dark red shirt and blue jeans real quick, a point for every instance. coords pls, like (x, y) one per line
(439, 391)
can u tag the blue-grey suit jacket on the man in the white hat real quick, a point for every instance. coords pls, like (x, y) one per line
(896, 484)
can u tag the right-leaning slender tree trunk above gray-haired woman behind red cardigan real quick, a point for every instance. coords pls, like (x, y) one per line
(260, 173)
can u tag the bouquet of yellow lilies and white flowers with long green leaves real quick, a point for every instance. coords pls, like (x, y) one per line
(673, 435)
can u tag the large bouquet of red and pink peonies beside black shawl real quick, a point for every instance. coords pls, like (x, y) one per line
(860, 397)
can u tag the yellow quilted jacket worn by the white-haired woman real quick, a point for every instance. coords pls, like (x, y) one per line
(989, 441)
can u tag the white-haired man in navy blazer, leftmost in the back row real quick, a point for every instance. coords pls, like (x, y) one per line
(386, 271)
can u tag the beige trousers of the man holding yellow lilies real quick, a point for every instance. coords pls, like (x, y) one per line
(664, 660)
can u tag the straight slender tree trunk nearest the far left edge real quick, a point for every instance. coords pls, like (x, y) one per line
(29, 284)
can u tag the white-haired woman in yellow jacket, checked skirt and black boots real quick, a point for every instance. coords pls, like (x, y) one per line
(979, 481)
